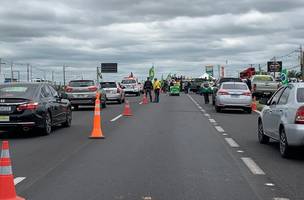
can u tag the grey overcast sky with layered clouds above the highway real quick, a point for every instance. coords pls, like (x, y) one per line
(178, 36)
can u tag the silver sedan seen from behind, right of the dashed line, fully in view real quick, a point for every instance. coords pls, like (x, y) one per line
(233, 95)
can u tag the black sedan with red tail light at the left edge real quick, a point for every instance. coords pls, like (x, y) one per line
(33, 105)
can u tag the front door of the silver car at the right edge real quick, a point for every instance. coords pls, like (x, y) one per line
(268, 112)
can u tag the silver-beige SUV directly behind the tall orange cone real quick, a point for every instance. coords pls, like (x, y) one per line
(83, 92)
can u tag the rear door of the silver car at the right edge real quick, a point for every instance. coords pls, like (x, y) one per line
(280, 112)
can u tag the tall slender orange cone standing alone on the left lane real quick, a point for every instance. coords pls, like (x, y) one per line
(97, 132)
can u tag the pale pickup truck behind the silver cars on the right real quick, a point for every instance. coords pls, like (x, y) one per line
(263, 85)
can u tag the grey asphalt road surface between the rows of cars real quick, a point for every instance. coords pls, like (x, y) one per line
(170, 150)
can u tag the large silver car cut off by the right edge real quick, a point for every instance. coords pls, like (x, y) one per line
(282, 118)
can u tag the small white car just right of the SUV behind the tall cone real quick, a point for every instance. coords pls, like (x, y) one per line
(113, 91)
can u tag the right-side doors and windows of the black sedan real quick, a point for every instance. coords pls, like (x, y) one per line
(59, 105)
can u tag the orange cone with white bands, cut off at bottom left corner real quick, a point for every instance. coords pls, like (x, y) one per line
(7, 186)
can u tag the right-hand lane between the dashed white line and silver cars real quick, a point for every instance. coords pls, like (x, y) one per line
(287, 174)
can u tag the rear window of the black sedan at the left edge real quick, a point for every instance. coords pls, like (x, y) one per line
(17, 91)
